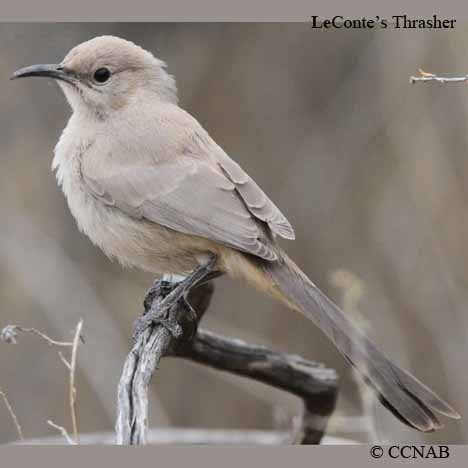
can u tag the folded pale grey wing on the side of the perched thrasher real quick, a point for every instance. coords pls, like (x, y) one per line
(191, 197)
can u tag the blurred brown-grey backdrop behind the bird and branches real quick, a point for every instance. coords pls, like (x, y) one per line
(370, 170)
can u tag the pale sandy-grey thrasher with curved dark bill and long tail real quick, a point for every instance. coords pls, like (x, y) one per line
(149, 186)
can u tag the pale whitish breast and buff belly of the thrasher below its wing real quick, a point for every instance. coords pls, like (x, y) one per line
(133, 242)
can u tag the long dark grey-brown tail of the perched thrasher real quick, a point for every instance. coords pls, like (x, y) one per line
(407, 398)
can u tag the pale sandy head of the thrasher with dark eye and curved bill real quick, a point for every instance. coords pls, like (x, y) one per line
(107, 73)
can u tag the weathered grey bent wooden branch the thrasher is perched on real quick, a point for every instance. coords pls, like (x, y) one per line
(173, 335)
